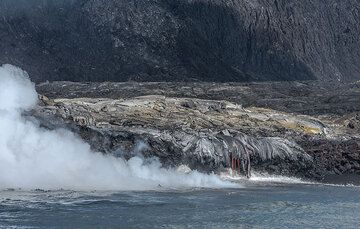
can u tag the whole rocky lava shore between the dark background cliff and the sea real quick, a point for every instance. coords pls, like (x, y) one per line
(178, 127)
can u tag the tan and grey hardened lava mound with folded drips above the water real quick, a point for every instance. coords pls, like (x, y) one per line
(204, 134)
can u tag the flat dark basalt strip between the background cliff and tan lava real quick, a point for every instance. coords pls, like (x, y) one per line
(310, 98)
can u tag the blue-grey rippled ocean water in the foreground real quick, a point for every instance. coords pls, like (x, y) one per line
(258, 204)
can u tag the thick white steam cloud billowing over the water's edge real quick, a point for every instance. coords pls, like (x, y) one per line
(33, 157)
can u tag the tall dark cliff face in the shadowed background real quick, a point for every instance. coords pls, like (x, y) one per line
(177, 40)
